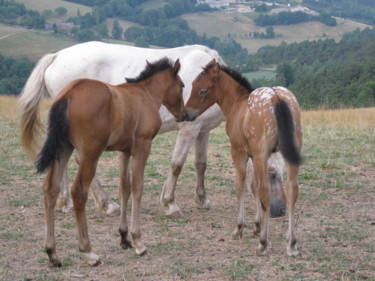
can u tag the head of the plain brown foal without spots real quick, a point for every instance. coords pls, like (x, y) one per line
(173, 98)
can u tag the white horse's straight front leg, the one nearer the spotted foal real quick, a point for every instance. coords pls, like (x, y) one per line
(201, 145)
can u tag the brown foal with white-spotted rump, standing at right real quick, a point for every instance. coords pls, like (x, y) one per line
(258, 124)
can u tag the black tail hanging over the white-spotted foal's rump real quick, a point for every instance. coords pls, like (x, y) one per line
(285, 127)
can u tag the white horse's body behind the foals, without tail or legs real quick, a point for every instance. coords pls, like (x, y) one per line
(112, 63)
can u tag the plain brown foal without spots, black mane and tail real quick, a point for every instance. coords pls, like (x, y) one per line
(91, 117)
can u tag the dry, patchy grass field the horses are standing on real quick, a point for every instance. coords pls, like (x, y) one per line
(335, 213)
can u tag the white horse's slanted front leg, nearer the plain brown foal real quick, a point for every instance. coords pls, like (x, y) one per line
(185, 138)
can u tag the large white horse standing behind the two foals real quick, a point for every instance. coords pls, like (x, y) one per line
(111, 63)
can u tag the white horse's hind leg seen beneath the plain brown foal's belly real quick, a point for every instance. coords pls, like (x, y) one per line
(102, 200)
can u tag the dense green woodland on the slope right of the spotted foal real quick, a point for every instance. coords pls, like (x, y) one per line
(325, 72)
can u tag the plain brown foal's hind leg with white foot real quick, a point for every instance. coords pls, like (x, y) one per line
(80, 189)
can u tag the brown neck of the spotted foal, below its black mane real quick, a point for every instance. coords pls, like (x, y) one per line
(231, 96)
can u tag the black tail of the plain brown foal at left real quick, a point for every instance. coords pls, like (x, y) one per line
(58, 136)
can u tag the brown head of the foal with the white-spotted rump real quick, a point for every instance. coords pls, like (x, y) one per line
(204, 91)
